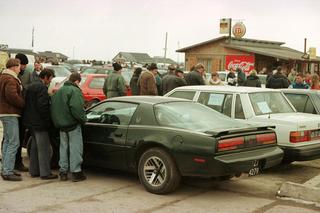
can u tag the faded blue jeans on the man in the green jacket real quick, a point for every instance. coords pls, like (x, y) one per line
(71, 149)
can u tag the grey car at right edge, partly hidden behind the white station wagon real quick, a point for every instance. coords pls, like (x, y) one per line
(304, 100)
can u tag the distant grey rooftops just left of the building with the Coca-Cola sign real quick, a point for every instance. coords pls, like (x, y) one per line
(140, 58)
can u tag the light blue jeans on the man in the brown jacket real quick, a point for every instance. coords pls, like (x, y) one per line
(10, 144)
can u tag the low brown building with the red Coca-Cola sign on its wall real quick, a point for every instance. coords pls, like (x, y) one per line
(224, 54)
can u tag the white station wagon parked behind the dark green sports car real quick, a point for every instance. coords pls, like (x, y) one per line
(298, 134)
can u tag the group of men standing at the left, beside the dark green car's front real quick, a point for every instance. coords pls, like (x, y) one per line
(29, 115)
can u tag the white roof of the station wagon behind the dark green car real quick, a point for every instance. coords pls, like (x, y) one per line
(227, 89)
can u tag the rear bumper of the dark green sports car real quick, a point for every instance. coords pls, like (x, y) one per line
(234, 163)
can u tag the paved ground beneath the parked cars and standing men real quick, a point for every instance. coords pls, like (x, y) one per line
(285, 188)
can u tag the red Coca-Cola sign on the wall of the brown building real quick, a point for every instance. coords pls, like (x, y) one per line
(245, 62)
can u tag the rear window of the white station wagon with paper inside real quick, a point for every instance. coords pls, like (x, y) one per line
(269, 103)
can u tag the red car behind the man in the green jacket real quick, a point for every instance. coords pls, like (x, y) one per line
(92, 88)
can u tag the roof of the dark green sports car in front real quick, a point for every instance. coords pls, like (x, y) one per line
(147, 99)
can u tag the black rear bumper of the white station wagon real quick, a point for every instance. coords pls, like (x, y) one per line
(309, 152)
